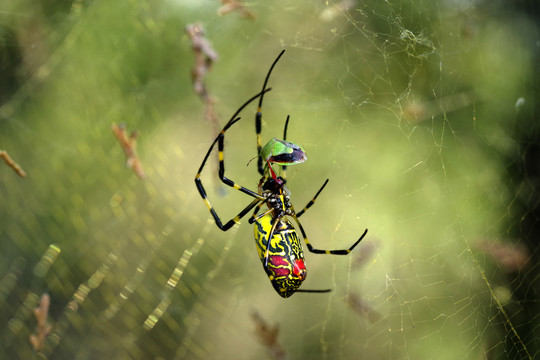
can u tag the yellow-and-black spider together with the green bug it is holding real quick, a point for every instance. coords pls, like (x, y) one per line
(282, 257)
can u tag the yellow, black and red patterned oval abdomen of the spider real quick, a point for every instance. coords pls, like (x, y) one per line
(285, 266)
